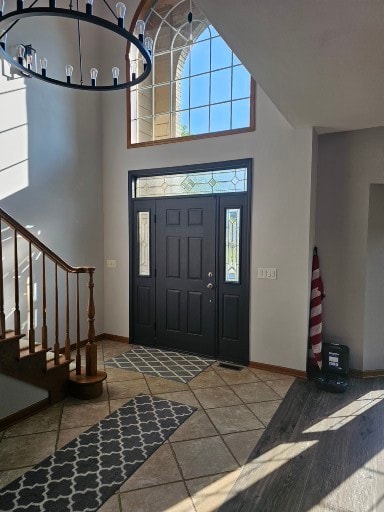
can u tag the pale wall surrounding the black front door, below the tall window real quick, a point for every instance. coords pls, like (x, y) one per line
(281, 219)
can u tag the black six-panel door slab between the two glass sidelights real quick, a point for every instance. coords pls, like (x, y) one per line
(186, 274)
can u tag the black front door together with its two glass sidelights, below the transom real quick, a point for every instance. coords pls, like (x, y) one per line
(190, 274)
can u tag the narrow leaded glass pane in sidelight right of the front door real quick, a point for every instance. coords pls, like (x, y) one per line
(232, 245)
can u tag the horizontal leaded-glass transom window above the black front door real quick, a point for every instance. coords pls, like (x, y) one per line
(208, 182)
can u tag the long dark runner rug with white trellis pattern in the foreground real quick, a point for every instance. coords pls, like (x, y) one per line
(82, 475)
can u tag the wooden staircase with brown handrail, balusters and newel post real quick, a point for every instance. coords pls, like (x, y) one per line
(32, 360)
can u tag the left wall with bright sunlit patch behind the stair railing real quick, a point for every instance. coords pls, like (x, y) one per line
(51, 177)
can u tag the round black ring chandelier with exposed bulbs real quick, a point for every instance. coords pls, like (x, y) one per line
(25, 61)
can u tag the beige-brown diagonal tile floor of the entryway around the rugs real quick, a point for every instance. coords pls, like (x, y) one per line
(196, 468)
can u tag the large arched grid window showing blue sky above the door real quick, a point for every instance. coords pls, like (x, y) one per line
(197, 88)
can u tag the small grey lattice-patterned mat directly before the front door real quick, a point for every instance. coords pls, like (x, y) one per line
(160, 363)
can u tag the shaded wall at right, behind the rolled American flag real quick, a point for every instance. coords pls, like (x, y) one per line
(348, 163)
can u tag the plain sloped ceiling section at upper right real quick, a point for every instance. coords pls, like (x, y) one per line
(320, 61)
